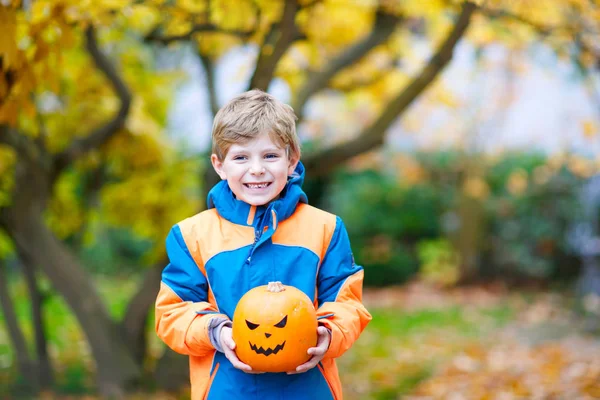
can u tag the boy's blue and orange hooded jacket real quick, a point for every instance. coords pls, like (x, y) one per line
(218, 255)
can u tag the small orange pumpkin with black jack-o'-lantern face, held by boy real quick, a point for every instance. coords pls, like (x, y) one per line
(273, 327)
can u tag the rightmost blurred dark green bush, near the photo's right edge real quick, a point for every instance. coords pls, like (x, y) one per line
(527, 233)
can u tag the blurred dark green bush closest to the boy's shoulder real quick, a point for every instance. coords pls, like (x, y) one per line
(384, 221)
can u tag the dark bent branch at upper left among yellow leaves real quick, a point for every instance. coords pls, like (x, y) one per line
(101, 134)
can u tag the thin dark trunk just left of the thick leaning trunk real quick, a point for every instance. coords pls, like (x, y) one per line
(45, 372)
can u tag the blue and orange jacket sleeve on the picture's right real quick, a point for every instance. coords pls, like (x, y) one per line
(339, 294)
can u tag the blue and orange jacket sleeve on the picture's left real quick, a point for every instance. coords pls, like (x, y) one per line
(183, 314)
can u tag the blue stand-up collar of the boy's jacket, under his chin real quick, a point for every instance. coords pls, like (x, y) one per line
(222, 198)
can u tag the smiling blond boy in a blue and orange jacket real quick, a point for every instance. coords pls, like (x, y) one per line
(258, 228)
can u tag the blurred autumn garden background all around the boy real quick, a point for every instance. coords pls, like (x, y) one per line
(458, 140)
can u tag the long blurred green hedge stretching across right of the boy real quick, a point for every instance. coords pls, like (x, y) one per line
(527, 207)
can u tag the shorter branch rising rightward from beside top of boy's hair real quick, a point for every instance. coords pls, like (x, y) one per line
(383, 27)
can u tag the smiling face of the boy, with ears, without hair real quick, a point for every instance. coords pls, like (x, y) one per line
(256, 171)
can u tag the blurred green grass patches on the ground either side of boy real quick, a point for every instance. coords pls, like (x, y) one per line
(398, 350)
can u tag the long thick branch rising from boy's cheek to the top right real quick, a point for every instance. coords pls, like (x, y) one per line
(322, 162)
